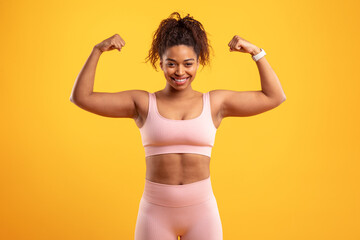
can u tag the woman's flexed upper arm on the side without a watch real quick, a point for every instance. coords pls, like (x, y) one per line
(117, 105)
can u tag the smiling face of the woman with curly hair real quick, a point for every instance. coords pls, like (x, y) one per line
(179, 63)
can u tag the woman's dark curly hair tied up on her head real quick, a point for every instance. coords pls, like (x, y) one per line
(180, 31)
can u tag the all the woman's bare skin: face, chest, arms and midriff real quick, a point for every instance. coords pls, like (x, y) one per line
(177, 101)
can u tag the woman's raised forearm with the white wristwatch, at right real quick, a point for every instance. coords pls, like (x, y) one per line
(270, 83)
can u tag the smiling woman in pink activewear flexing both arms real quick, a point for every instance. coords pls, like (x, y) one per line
(178, 126)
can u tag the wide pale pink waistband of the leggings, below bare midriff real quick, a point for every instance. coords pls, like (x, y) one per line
(178, 195)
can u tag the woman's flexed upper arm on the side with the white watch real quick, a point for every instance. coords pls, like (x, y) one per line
(245, 103)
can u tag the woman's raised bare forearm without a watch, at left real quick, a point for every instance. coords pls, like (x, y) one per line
(84, 83)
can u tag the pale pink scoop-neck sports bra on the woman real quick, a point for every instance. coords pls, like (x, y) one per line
(161, 135)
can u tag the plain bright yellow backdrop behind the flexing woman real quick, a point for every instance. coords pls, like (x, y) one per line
(289, 173)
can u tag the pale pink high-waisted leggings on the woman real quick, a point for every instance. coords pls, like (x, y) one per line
(168, 211)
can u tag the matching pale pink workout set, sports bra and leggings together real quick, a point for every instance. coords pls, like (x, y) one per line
(190, 210)
